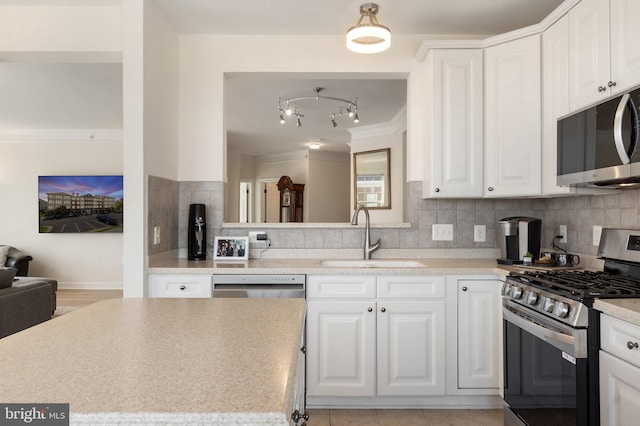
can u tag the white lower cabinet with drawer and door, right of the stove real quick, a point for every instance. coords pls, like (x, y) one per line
(619, 372)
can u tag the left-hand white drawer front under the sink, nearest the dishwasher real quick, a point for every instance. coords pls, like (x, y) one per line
(341, 286)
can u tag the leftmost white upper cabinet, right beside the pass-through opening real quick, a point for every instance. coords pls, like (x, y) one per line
(454, 139)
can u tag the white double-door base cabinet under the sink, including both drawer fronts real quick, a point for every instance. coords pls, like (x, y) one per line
(390, 344)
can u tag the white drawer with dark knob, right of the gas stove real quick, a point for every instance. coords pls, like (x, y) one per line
(617, 336)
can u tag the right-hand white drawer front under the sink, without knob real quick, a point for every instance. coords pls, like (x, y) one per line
(411, 287)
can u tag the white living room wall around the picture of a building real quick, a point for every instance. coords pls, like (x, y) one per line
(76, 260)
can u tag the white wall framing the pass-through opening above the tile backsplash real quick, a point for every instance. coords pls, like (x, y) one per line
(205, 58)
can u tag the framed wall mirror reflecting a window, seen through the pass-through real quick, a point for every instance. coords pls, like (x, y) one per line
(372, 178)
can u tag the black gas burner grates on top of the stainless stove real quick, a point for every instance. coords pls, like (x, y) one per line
(583, 284)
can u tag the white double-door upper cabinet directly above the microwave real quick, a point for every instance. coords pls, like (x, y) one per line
(604, 55)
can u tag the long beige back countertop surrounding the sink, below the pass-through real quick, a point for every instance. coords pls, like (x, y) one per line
(173, 265)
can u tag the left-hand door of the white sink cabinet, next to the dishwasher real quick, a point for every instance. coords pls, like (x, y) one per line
(341, 348)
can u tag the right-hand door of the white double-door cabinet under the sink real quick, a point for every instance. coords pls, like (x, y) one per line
(411, 347)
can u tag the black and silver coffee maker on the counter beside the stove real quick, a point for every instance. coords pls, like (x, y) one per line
(517, 236)
